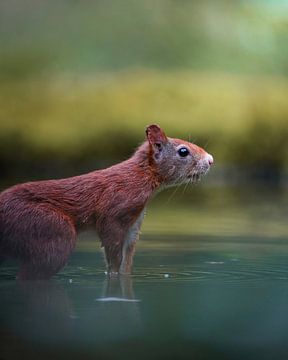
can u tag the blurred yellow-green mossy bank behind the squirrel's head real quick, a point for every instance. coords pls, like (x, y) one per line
(104, 117)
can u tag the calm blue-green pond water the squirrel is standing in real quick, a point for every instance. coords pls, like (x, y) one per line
(209, 281)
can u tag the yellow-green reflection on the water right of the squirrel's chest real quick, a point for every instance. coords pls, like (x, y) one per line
(223, 211)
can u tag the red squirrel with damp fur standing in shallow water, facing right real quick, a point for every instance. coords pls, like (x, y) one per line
(39, 221)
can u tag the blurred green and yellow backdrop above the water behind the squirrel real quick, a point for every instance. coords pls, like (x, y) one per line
(80, 80)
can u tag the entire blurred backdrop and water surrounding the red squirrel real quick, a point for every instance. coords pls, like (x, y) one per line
(79, 82)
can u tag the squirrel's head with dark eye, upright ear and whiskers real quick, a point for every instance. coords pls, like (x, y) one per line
(176, 161)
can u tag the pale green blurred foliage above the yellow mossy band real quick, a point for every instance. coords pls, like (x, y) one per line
(87, 35)
